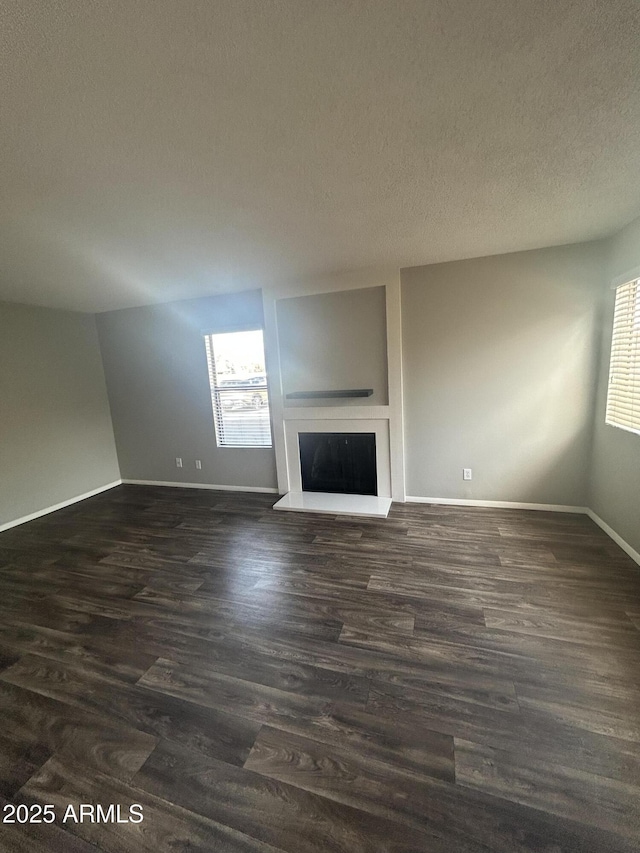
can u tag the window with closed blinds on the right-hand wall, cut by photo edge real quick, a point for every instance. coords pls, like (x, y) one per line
(623, 400)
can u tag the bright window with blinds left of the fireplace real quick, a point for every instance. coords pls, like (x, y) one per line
(239, 395)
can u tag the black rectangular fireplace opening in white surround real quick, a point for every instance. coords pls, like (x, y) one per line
(343, 462)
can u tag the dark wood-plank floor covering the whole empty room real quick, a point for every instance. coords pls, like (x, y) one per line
(446, 680)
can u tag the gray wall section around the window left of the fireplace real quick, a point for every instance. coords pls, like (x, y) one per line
(155, 365)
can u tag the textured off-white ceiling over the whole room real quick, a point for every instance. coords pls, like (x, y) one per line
(160, 150)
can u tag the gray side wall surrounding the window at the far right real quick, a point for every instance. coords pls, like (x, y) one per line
(615, 474)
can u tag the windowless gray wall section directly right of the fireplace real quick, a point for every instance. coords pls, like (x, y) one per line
(499, 360)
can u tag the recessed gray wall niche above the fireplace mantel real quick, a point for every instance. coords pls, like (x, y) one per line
(334, 341)
